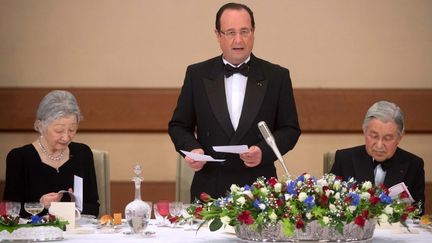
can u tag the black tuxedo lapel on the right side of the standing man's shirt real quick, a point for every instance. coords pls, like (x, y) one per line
(255, 91)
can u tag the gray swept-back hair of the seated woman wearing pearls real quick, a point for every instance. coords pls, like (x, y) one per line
(56, 104)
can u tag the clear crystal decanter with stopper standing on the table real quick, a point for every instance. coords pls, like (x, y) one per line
(137, 212)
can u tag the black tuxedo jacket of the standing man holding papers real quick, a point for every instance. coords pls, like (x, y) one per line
(201, 120)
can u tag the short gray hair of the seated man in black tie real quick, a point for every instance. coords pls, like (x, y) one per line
(386, 112)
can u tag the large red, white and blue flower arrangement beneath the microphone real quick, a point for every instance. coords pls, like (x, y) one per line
(330, 201)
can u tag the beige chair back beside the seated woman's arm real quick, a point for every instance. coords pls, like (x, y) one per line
(102, 168)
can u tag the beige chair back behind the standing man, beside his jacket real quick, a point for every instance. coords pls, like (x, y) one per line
(183, 180)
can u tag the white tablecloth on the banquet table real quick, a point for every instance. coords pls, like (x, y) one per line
(165, 234)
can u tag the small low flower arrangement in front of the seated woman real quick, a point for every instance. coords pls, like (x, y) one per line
(11, 223)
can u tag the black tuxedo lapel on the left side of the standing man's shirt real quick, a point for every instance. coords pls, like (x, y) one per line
(215, 89)
